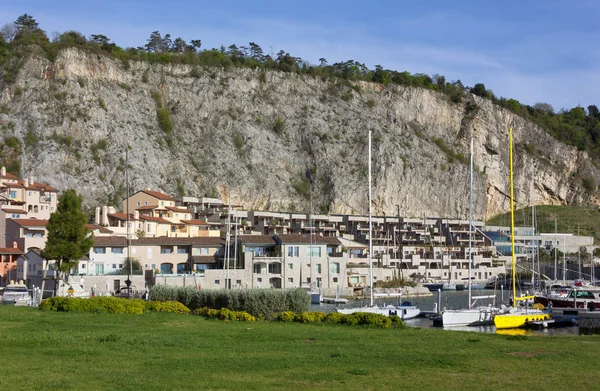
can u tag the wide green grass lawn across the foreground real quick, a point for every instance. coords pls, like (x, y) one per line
(49, 350)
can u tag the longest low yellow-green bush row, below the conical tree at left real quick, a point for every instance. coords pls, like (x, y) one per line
(113, 305)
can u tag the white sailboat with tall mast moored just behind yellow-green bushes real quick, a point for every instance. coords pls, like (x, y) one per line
(405, 310)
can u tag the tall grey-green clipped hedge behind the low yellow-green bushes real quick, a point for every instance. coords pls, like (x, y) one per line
(261, 303)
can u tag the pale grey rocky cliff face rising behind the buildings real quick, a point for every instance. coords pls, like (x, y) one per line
(257, 136)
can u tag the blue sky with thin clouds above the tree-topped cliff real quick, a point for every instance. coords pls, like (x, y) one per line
(533, 51)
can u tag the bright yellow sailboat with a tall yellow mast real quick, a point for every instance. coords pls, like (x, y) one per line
(516, 317)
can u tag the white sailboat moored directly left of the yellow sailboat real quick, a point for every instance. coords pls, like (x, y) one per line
(472, 316)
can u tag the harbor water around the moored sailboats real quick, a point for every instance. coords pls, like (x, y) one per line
(452, 300)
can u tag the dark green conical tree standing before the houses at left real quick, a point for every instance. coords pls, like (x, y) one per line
(68, 239)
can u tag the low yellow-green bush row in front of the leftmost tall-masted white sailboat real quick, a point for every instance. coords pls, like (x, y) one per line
(355, 319)
